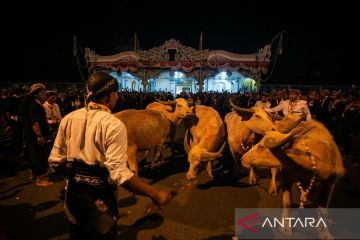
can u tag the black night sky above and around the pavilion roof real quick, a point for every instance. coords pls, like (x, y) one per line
(320, 43)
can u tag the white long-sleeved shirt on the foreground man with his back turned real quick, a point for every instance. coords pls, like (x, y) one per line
(93, 136)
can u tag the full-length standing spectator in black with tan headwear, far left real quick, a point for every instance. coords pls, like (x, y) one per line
(38, 135)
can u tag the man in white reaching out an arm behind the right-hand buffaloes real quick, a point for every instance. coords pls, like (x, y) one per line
(292, 106)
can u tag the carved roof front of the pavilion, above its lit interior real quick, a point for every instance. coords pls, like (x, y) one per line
(187, 59)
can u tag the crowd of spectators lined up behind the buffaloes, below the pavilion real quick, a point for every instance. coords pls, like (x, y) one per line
(337, 110)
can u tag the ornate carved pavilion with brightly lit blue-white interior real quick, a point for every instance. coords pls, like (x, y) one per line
(175, 68)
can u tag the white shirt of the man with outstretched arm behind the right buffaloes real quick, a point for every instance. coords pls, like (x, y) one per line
(299, 107)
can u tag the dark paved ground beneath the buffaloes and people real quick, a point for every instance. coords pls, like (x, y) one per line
(203, 212)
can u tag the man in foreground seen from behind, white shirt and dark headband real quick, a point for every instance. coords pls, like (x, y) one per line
(95, 143)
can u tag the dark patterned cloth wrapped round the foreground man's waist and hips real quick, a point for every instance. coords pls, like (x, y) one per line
(91, 197)
